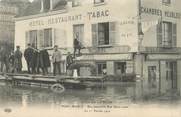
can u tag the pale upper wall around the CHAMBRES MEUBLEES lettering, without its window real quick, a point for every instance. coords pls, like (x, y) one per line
(150, 37)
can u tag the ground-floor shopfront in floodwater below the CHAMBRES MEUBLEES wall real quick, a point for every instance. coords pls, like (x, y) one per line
(161, 73)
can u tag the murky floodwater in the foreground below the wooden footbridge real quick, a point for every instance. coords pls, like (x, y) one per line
(121, 94)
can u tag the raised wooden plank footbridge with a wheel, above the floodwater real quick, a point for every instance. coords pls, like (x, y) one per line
(53, 82)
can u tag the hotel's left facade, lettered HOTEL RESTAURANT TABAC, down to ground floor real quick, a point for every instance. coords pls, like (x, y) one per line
(109, 37)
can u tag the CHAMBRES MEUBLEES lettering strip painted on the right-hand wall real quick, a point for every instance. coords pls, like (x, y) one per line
(160, 12)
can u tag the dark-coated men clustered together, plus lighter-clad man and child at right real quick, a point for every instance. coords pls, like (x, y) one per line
(40, 59)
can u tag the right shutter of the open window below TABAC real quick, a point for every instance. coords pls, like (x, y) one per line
(112, 33)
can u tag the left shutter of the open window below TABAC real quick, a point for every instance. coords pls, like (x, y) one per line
(94, 35)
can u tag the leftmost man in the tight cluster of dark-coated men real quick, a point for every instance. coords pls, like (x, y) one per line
(28, 54)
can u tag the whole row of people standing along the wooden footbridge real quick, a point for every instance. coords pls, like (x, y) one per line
(37, 60)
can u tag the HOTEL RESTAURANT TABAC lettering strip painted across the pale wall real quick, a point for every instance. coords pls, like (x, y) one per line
(62, 18)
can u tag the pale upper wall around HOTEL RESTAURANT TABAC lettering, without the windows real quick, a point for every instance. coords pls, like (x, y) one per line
(64, 29)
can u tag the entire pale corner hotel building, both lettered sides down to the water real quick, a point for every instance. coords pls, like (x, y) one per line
(111, 32)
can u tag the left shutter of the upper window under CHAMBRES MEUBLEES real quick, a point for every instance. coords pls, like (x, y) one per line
(159, 35)
